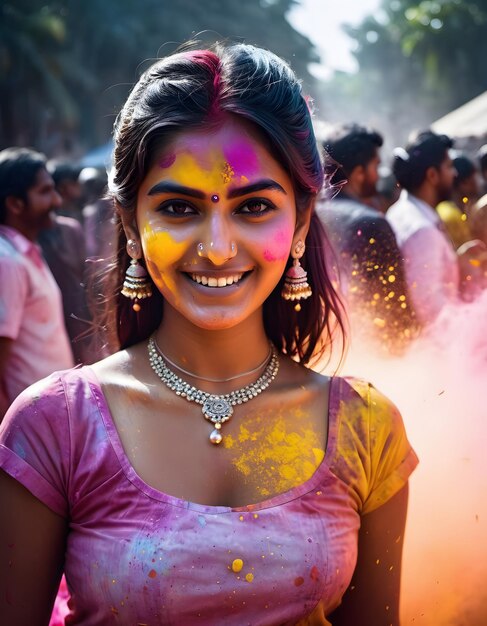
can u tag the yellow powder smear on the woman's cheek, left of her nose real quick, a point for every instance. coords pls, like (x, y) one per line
(161, 251)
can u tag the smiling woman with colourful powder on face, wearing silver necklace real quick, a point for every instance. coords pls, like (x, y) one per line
(204, 473)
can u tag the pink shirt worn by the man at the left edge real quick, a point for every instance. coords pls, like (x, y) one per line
(31, 314)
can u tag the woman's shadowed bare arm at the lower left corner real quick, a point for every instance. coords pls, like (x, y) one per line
(32, 545)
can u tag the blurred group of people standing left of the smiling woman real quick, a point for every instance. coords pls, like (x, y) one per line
(56, 236)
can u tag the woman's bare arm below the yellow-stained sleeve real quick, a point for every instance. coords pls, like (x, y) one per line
(373, 594)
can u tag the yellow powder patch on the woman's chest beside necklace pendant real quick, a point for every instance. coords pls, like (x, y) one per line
(275, 458)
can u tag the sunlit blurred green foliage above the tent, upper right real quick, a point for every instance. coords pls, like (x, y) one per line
(417, 61)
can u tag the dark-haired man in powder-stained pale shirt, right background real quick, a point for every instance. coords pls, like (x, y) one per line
(425, 172)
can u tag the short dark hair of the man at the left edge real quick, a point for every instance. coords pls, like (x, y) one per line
(18, 172)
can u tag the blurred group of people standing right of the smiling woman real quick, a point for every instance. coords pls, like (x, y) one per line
(408, 230)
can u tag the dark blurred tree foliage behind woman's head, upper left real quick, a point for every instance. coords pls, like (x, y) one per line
(67, 65)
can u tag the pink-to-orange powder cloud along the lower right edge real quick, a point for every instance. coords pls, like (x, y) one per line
(439, 387)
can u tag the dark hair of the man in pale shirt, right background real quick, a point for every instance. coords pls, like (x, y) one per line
(411, 164)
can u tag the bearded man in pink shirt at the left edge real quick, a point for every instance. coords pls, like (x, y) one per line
(33, 338)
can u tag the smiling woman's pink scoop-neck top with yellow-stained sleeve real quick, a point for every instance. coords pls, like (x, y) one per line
(136, 555)
